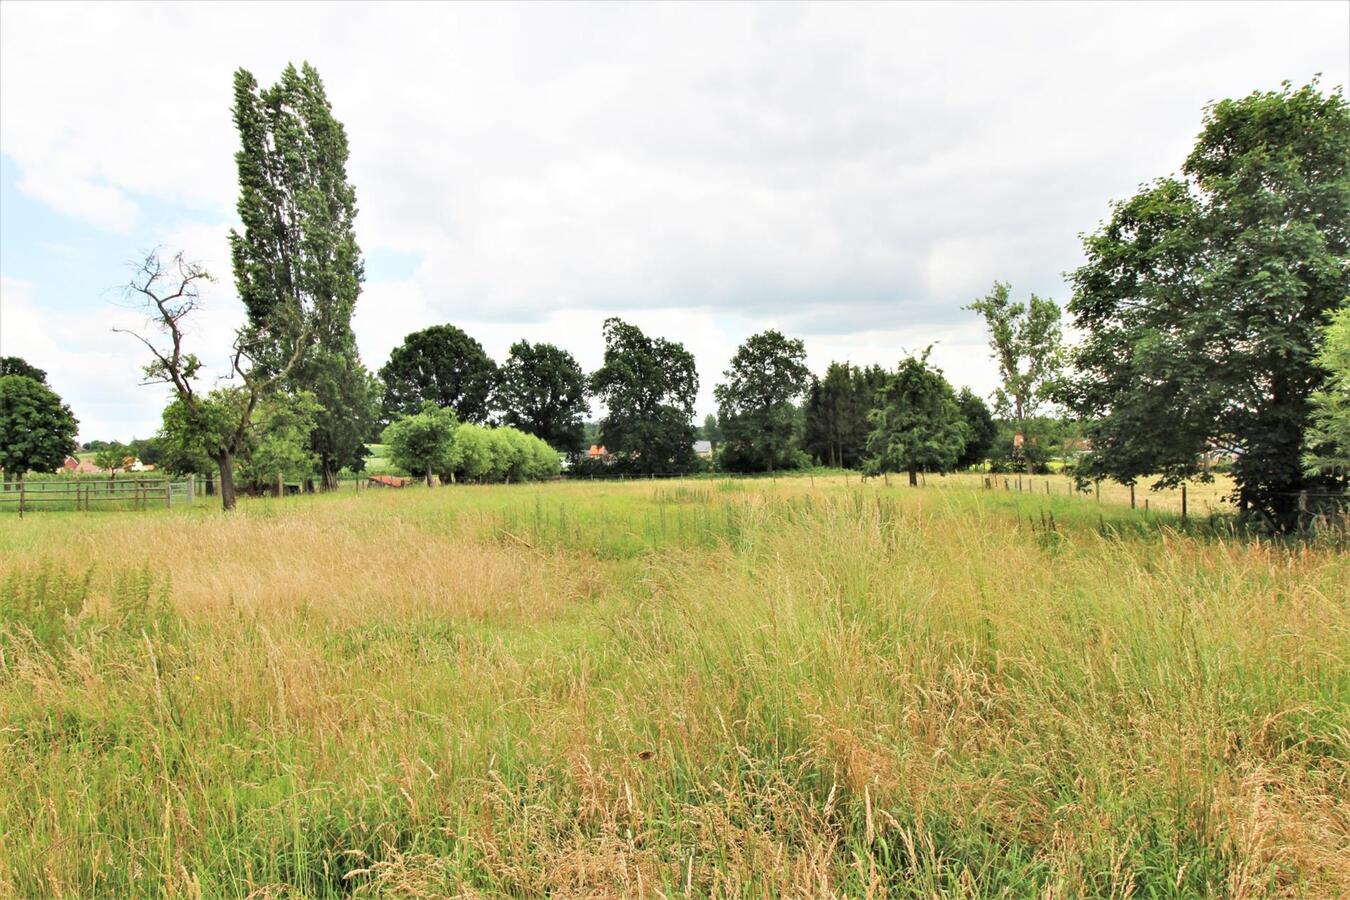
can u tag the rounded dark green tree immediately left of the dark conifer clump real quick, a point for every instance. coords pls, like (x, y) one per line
(758, 412)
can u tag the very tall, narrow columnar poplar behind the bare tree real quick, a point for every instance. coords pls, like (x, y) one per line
(298, 265)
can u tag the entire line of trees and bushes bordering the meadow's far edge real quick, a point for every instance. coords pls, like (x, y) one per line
(1210, 320)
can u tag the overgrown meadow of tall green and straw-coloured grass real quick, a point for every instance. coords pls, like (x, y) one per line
(805, 687)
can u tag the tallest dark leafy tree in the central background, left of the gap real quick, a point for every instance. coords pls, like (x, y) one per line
(649, 389)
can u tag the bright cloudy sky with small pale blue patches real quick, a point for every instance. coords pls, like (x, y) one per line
(848, 175)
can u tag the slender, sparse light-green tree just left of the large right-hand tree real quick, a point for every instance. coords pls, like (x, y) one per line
(1028, 346)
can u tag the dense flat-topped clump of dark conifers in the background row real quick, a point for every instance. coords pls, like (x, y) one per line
(836, 414)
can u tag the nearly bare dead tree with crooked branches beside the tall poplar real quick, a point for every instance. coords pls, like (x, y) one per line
(169, 292)
